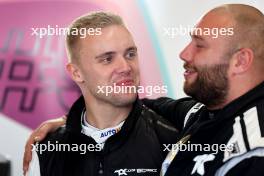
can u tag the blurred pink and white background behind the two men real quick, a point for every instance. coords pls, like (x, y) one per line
(34, 85)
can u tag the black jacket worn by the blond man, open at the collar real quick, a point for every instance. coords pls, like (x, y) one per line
(137, 149)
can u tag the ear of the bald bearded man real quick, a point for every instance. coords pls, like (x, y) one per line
(242, 61)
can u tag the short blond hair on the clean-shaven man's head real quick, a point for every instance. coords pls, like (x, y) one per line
(91, 20)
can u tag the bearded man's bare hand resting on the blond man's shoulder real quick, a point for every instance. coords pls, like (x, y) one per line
(38, 135)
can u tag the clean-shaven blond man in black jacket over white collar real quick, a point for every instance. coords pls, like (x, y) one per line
(111, 134)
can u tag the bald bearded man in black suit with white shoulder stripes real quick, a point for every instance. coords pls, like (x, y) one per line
(222, 124)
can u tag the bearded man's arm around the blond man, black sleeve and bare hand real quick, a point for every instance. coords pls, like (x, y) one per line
(172, 110)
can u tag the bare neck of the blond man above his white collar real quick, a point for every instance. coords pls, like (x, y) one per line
(103, 115)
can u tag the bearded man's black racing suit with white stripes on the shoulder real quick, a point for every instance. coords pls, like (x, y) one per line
(238, 128)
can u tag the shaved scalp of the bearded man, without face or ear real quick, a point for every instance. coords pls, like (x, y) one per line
(248, 23)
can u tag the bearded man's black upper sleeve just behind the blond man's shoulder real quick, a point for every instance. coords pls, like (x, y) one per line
(172, 110)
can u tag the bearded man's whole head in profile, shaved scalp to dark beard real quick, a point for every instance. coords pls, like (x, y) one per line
(216, 67)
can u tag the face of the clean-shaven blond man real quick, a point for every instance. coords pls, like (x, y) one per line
(109, 59)
